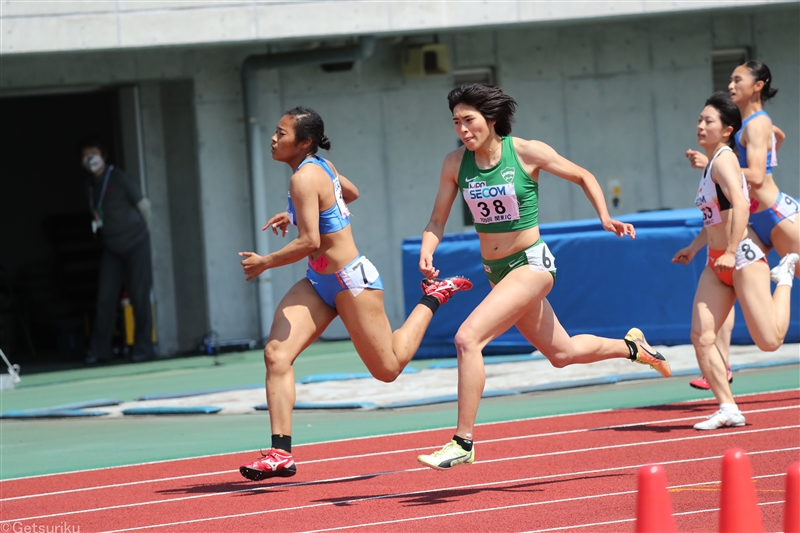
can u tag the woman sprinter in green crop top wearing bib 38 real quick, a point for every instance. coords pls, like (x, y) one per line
(498, 177)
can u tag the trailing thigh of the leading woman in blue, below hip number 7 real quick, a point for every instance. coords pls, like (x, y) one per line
(365, 318)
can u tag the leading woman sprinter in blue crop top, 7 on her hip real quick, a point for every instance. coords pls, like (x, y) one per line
(339, 282)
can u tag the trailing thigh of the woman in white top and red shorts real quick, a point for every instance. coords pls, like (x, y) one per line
(754, 293)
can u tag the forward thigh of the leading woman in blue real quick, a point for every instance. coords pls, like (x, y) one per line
(300, 318)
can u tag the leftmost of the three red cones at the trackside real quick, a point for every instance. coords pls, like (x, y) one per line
(653, 505)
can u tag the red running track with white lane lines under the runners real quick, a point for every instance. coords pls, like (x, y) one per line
(566, 473)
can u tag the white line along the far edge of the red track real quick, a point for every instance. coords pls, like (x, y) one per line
(484, 424)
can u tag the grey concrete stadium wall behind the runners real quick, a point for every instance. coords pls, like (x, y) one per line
(618, 97)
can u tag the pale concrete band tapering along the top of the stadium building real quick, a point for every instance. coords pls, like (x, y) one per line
(53, 25)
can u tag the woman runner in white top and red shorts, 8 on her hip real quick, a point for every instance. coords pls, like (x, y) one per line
(736, 266)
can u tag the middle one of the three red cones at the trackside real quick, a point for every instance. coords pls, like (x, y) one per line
(739, 512)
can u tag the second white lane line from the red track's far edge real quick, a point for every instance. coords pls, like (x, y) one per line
(374, 454)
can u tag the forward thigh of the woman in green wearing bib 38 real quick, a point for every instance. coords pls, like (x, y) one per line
(517, 294)
